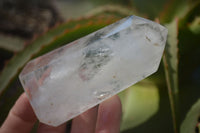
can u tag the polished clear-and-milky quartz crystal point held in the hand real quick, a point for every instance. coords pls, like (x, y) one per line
(69, 80)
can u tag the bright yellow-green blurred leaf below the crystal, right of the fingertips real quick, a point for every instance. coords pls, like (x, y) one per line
(139, 103)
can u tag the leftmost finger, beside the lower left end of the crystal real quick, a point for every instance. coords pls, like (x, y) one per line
(21, 117)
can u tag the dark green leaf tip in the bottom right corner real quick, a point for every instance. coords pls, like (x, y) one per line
(192, 120)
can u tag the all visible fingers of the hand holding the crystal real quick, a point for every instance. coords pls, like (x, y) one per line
(104, 118)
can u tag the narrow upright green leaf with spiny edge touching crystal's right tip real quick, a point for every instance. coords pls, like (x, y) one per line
(170, 60)
